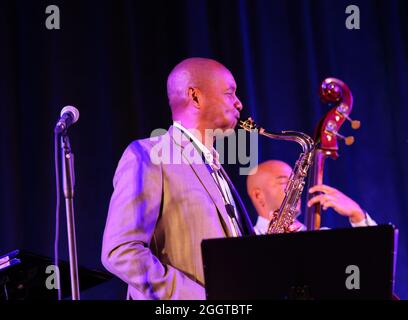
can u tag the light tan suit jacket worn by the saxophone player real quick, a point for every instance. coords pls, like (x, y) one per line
(158, 216)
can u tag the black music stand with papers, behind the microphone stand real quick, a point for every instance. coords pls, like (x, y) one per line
(23, 277)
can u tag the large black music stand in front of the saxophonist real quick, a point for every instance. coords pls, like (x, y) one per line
(308, 265)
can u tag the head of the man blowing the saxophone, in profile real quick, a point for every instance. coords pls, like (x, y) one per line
(202, 96)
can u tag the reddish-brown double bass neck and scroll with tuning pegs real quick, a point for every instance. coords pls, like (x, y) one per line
(338, 96)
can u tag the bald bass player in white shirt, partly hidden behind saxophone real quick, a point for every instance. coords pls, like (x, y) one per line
(266, 188)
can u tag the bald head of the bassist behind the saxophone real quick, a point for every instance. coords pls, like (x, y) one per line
(266, 185)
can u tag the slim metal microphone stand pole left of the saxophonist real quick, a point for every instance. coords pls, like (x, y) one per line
(68, 185)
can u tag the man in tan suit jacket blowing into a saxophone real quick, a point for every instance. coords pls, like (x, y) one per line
(161, 210)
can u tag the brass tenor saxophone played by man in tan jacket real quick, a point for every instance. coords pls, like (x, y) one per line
(286, 214)
